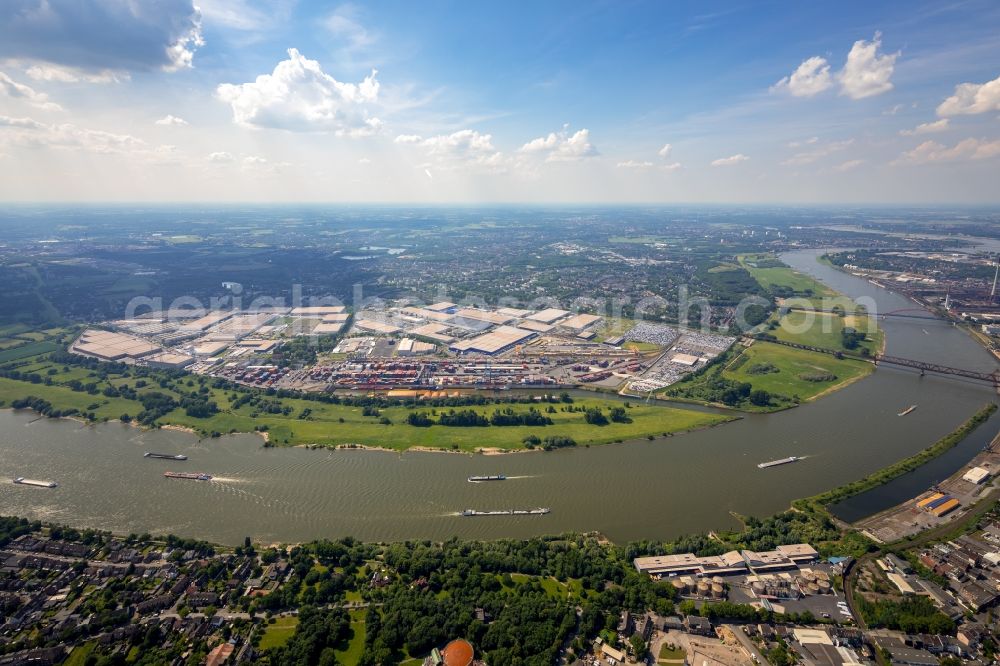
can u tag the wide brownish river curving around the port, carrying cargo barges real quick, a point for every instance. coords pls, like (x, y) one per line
(635, 490)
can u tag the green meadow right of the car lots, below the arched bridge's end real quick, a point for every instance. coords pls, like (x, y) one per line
(792, 365)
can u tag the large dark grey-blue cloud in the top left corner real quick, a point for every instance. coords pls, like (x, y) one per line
(101, 34)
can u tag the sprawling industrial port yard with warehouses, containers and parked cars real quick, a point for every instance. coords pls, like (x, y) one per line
(433, 348)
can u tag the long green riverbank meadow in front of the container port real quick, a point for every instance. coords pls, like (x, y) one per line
(334, 424)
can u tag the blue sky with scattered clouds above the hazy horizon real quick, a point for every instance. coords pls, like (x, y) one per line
(492, 102)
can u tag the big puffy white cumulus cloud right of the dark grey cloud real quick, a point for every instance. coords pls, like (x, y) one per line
(300, 96)
